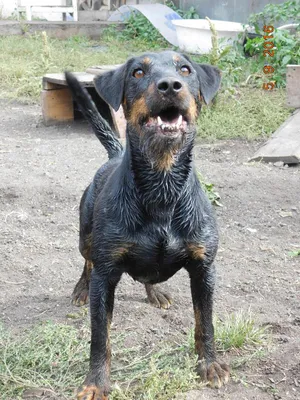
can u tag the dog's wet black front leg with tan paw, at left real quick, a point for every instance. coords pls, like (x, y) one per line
(102, 288)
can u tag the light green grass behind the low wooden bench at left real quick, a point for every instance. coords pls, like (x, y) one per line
(24, 61)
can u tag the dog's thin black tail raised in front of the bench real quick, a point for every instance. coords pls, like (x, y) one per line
(88, 108)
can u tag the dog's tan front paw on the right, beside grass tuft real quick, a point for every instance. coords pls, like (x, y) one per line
(215, 374)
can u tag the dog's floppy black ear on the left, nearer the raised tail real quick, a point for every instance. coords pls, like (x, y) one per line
(110, 86)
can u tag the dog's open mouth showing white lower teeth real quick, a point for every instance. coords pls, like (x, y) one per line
(169, 121)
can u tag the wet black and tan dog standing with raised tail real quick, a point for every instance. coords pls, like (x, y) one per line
(145, 212)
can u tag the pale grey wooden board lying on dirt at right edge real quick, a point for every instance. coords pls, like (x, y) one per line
(284, 144)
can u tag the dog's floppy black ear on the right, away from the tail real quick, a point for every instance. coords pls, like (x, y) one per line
(209, 78)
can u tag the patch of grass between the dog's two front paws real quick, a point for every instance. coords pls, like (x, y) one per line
(159, 375)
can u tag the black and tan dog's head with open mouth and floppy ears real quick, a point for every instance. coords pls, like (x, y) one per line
(161, 94)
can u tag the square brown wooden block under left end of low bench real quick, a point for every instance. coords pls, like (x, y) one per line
(57, 106)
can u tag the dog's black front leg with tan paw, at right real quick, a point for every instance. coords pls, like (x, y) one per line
(202, 287)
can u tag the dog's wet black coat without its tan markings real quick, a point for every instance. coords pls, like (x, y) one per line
(153, 214)
